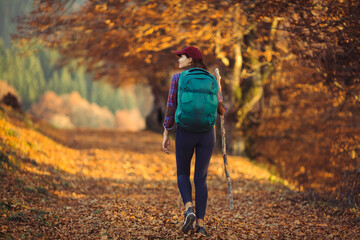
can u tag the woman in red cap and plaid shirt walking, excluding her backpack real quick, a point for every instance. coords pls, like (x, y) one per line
(186, 141)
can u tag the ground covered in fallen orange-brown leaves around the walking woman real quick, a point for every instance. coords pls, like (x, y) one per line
(118, 185)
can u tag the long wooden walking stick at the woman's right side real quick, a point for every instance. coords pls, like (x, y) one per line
(222, 127)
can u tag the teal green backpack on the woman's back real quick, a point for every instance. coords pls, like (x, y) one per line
(197, 100)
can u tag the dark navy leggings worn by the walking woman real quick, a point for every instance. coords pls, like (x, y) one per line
(203, 144)
